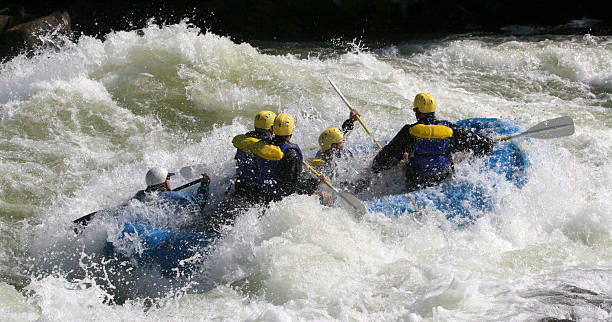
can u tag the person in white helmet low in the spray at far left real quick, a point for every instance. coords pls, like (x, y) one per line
(158, 187)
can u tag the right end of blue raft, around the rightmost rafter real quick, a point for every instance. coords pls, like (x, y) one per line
(463, 200)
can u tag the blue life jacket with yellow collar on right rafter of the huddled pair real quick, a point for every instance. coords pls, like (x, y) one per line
(268, 158)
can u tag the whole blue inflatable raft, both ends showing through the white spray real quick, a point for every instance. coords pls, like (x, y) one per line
(174, 251)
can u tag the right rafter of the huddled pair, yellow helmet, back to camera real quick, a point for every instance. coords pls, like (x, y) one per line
(280, 164)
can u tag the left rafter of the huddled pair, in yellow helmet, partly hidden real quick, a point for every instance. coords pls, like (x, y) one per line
(246, 167)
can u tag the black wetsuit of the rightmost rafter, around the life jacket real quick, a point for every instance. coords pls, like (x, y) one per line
(461, 140)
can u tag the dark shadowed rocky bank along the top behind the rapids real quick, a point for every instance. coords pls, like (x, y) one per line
(21, 24)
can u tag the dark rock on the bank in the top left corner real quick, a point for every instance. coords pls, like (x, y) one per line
(39, 33)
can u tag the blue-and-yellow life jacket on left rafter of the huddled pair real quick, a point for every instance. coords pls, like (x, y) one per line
(246, 166)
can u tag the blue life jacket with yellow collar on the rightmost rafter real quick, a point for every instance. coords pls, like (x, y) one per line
(431, 154)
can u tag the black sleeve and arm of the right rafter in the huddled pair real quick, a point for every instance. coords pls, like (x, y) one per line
(289, 173)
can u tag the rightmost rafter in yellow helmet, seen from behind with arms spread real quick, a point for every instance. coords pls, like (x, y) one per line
(427, 146)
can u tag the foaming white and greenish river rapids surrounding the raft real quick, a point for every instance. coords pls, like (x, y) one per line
(80, 127)
